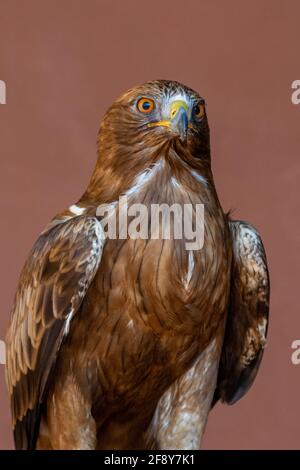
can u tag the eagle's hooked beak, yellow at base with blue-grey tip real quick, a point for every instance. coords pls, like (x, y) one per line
(178, 120)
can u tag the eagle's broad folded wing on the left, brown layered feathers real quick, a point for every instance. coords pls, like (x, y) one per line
(52, 285)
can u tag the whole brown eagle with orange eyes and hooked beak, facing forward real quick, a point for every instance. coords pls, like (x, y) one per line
(127, 342)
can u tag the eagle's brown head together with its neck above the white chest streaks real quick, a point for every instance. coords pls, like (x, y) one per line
(159, 119)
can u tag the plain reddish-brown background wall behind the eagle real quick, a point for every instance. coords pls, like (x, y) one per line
(64, 61)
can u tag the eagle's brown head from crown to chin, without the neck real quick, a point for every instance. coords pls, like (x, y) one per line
(157, 112)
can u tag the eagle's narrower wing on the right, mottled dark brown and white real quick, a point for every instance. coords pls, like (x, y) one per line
(247, 321)
